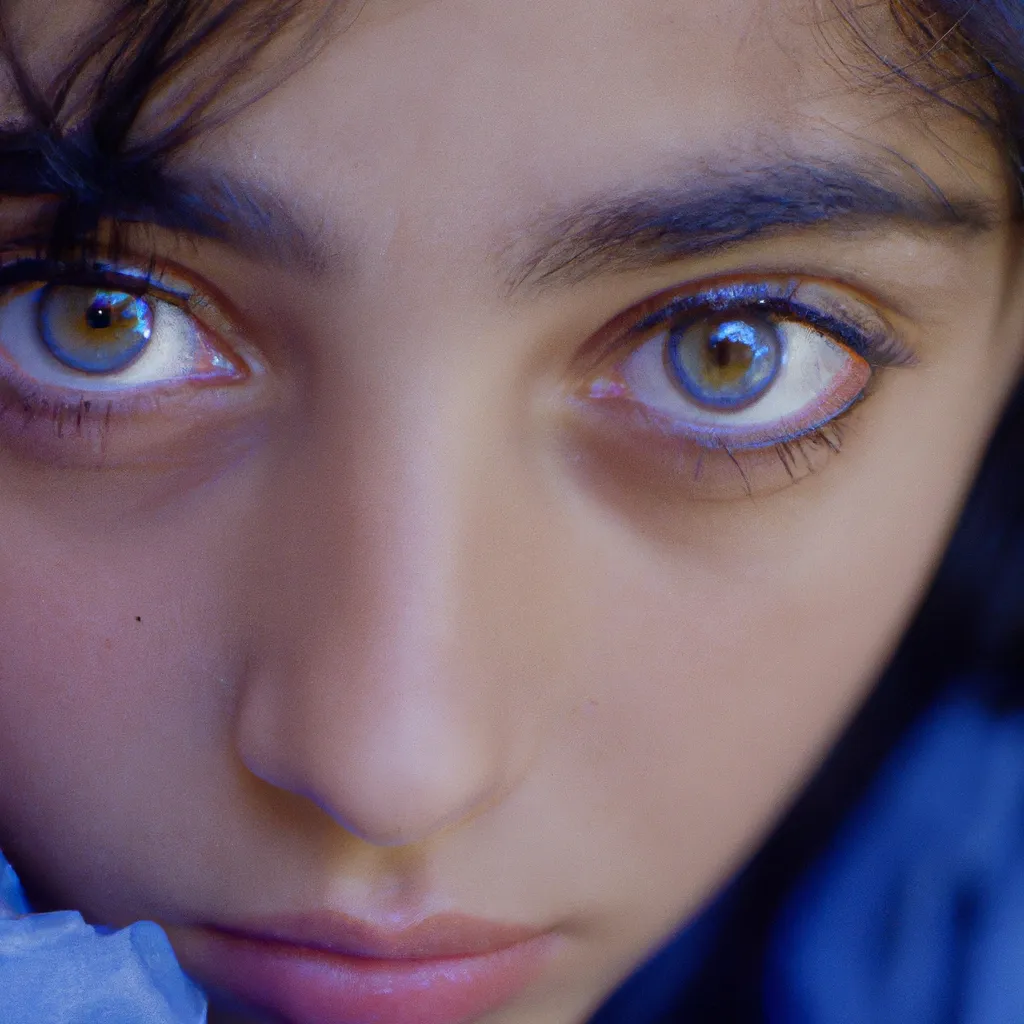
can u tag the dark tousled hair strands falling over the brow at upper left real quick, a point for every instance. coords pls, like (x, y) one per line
(151, 78)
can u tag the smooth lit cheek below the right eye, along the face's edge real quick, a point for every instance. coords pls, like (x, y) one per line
(719, 655)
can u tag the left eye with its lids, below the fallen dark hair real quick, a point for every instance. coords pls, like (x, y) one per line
(103, 365)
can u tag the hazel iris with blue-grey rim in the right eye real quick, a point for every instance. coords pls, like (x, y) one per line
(726, 363)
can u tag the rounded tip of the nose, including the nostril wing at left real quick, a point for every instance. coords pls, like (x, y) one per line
(393, 766)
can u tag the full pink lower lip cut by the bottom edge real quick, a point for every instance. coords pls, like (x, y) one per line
(312, 987)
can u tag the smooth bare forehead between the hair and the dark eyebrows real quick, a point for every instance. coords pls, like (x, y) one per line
(452, 115)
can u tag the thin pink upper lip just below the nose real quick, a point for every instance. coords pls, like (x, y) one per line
(439, 937)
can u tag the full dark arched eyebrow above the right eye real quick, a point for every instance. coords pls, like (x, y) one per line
(639, 230)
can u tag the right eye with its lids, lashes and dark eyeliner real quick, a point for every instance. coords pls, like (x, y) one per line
(740, 389)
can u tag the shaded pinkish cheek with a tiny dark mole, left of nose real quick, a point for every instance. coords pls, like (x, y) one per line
(110, 694)
